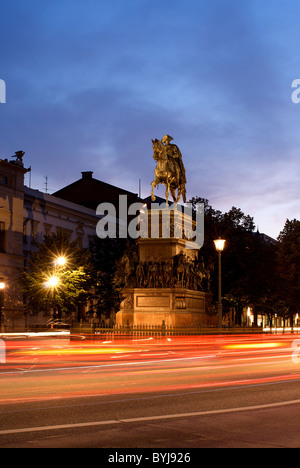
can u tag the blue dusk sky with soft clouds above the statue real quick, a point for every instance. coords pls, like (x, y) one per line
(89, 83)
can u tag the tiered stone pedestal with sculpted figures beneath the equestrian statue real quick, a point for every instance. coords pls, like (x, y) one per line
(169, 280)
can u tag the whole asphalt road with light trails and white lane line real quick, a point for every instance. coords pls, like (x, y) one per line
(203, 392)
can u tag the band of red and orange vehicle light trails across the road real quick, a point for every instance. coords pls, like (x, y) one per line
(73, 370)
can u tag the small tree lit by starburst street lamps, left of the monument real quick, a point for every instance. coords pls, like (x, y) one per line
(64, 285)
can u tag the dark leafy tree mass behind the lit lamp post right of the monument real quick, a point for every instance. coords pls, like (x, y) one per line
(248, 262)
